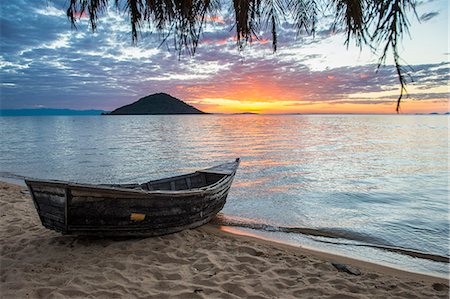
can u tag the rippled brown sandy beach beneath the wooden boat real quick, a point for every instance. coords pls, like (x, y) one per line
(202, 263)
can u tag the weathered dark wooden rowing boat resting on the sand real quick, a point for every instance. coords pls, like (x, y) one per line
(153, 208)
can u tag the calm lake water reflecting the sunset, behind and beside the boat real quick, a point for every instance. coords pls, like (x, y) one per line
(370, 182)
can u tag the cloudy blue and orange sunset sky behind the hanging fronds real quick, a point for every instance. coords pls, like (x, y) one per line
(46, 64)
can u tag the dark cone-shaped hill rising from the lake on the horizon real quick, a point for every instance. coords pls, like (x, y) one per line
(158, 103)
